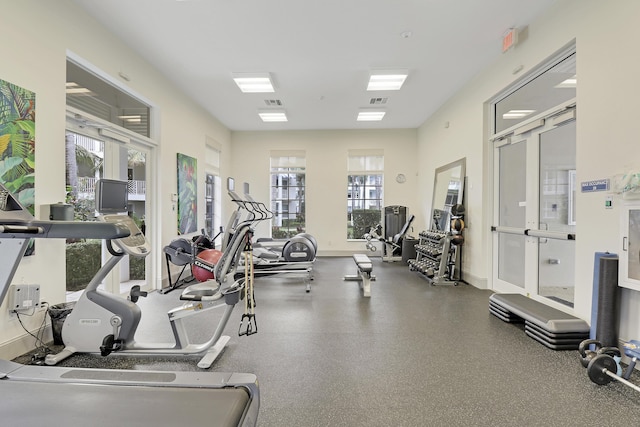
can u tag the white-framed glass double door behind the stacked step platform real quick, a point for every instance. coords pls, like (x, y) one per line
(534, 211)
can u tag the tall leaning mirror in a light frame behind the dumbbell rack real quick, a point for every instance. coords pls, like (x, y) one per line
(448, 190)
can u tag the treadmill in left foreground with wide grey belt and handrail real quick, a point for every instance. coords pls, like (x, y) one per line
(34, 395)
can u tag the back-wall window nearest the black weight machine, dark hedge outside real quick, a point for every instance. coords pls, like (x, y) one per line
(364, 192)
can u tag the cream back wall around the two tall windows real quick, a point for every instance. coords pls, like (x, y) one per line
(326, 176)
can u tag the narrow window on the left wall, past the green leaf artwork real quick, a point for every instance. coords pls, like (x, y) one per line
(212, 197)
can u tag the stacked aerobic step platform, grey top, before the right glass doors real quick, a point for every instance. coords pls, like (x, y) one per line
(547, 325)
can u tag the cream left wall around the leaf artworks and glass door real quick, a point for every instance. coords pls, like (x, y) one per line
(37, 36)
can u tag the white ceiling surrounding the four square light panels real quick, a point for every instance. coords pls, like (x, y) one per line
(318, 52)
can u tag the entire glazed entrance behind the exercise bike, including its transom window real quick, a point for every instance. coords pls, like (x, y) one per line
(107, 137)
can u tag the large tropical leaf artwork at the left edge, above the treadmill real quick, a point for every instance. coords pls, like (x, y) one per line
(17, 144)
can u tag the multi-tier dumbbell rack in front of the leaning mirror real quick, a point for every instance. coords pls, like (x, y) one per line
(437, 260)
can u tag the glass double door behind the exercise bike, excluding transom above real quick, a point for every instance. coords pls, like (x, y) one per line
(90, 157)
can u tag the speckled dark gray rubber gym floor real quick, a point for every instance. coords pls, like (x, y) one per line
(411, 355)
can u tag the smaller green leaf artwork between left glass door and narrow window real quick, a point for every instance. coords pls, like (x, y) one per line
(187, 194)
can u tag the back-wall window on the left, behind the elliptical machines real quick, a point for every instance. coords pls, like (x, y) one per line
(287, 193)
